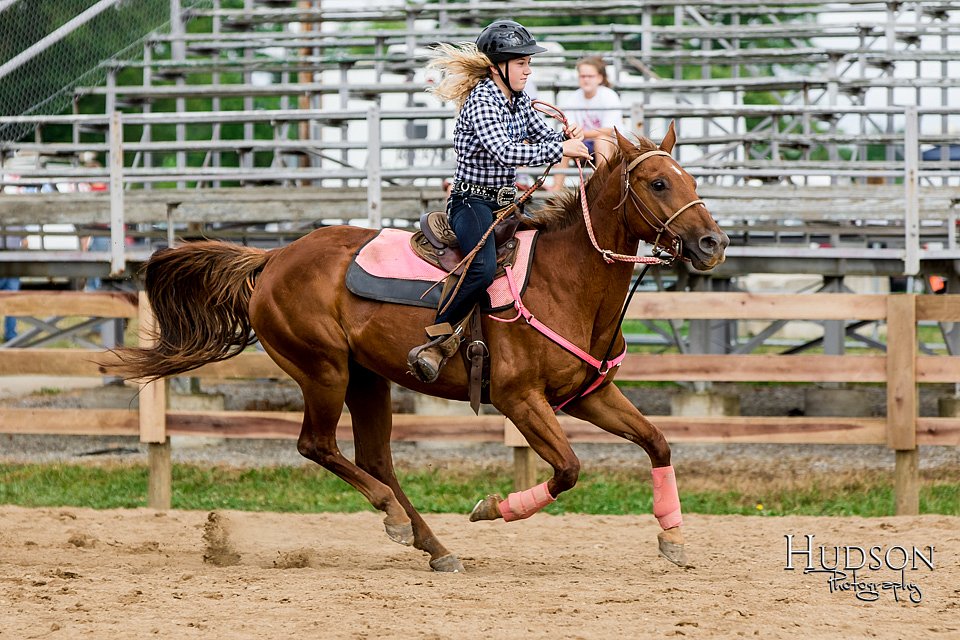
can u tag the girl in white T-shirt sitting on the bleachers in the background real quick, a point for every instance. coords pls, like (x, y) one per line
(596, 107)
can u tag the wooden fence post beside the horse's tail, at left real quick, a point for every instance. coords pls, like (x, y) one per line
(153, 418)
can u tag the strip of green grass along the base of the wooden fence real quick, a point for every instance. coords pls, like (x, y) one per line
(311, 490)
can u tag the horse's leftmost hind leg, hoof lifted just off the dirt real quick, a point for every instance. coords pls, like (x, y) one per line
(323, 404)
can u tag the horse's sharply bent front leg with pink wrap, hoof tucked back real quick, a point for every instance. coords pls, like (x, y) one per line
(538, 424)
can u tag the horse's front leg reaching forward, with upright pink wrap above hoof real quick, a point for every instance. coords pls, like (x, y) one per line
(611, 411)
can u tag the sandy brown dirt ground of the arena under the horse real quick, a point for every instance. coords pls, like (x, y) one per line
(72, 573)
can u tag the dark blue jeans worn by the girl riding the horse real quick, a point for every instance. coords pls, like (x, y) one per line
(470, 218)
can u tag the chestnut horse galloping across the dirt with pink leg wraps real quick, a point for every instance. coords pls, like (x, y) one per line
(207, 296)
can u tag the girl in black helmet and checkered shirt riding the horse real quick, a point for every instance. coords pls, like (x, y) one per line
(496, 131)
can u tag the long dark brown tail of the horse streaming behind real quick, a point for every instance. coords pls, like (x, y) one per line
(200, 293)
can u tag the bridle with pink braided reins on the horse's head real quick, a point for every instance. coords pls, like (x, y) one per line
(674, 244)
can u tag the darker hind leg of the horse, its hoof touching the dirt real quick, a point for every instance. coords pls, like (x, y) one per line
(368, 397)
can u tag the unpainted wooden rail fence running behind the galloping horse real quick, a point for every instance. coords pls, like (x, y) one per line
(901, 369)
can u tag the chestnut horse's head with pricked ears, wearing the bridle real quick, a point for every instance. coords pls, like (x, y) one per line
(660, 204)
